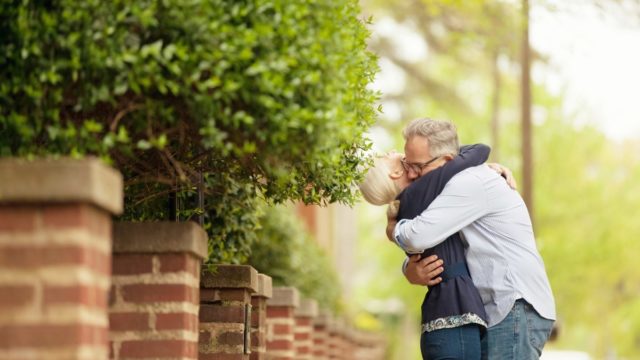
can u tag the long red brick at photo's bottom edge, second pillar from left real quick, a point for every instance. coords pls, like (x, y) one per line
(158, 349)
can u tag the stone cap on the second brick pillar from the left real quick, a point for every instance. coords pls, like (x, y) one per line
(160, 237)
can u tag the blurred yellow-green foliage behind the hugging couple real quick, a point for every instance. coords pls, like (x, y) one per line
(586, 192)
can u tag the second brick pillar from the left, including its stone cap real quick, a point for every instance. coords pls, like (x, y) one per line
(154, 303)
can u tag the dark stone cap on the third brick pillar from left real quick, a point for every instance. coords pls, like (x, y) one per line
(229, 276)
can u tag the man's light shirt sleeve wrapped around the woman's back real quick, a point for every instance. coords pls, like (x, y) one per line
(461, 202)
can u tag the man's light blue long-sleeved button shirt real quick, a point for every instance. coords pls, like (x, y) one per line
(503, 260)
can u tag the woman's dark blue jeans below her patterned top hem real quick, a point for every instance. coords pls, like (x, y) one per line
(460, 343)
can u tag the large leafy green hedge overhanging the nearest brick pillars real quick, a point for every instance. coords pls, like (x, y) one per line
(267, 99)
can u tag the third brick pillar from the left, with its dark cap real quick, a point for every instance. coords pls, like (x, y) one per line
(225, 312)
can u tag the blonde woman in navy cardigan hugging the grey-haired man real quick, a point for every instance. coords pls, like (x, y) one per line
(453, 316)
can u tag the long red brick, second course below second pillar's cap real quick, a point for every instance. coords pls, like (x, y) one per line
(146, 293)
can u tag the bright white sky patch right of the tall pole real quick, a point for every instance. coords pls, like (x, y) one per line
(595, 59)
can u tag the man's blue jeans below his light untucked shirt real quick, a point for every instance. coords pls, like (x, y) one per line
(520, 336)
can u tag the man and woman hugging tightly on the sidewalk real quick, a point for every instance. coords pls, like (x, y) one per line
(468, 236)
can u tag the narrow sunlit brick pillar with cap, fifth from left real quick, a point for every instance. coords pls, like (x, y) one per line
(281, 322)
